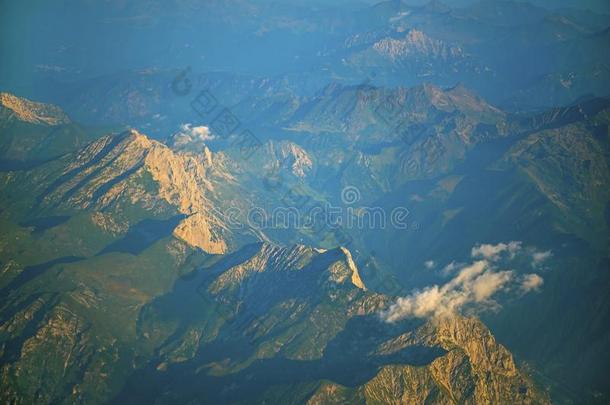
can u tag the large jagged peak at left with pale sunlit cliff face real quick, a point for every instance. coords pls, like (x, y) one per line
(119, 172)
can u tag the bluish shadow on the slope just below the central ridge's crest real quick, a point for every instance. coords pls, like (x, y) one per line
(185, 305)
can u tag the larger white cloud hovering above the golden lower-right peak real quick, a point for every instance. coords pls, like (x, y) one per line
(471, 289)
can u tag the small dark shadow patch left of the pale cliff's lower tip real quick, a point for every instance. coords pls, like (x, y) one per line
(143, 234)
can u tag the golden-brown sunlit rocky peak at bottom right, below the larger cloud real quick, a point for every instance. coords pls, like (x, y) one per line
(474, 369)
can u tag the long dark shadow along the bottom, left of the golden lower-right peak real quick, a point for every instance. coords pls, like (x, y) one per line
(350, 359)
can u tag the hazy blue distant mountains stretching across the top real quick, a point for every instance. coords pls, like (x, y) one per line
(515, 54)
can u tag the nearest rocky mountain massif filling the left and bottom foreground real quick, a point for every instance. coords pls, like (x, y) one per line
(116, 272)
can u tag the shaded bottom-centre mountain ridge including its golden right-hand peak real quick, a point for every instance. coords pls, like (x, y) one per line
(315, 353)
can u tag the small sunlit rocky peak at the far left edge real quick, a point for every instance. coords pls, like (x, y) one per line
(33, 112)
